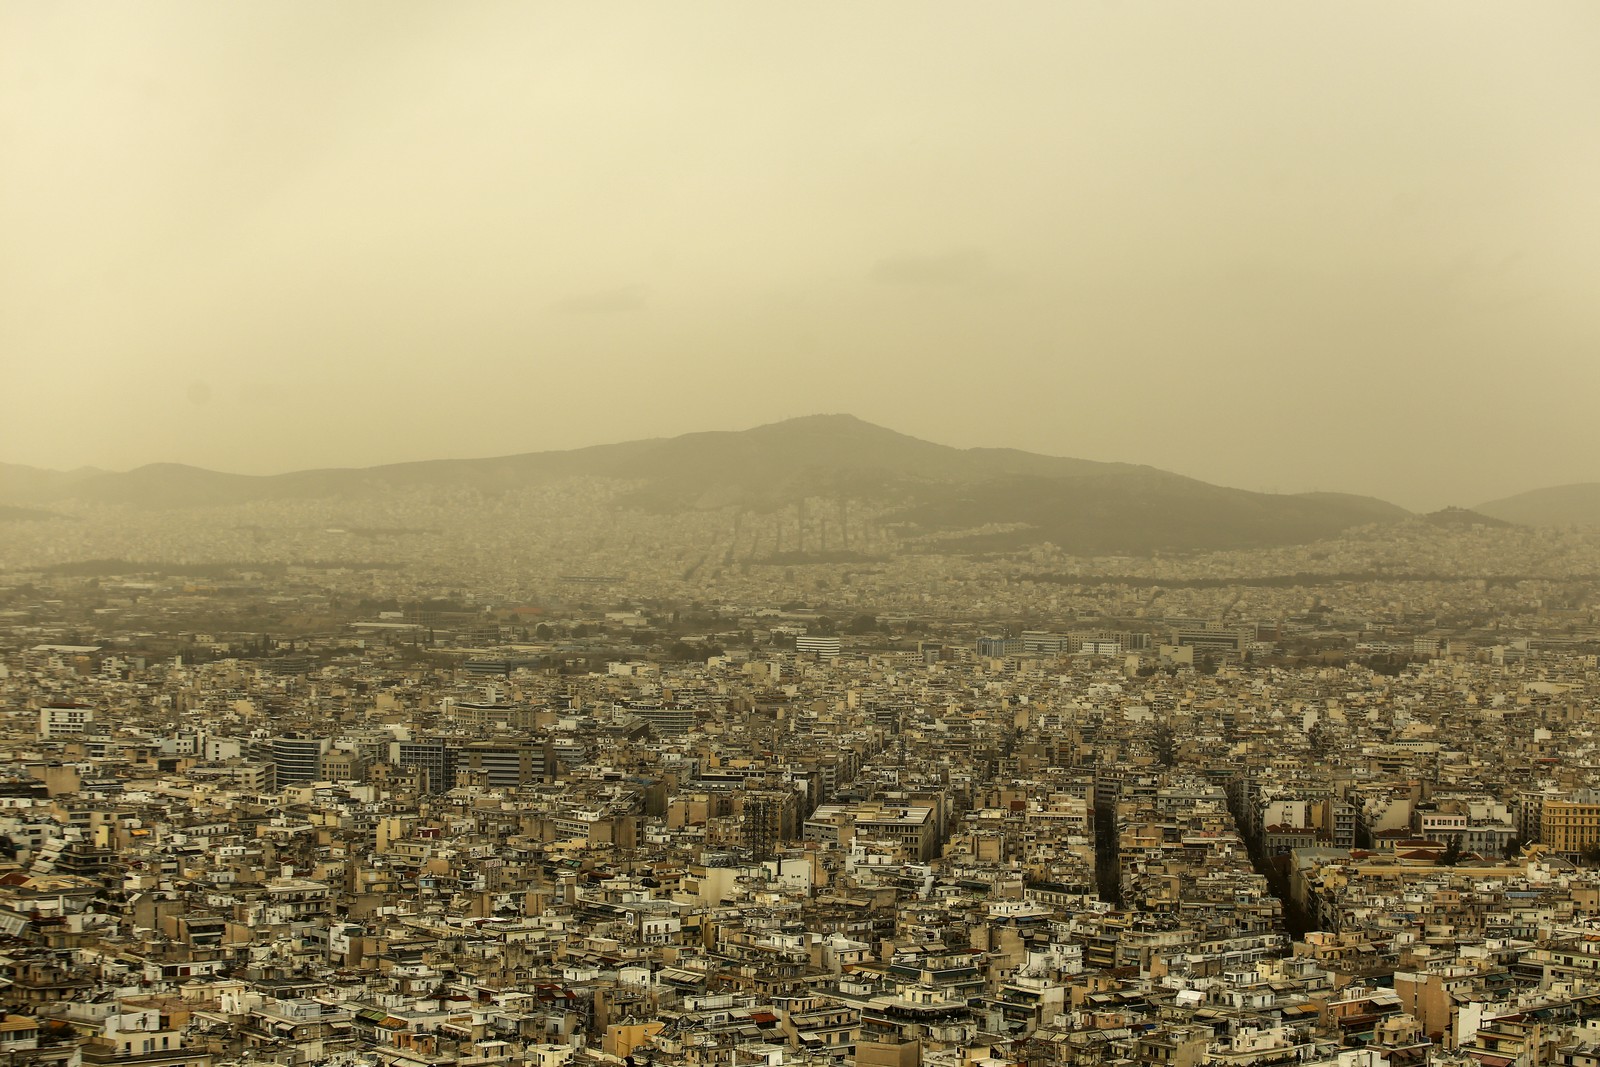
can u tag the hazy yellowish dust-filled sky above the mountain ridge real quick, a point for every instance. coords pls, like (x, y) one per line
(1274, 246)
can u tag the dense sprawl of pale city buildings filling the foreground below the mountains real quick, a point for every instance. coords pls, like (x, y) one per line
(295, 793)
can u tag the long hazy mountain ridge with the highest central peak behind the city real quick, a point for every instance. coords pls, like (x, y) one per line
(1079, 505)
